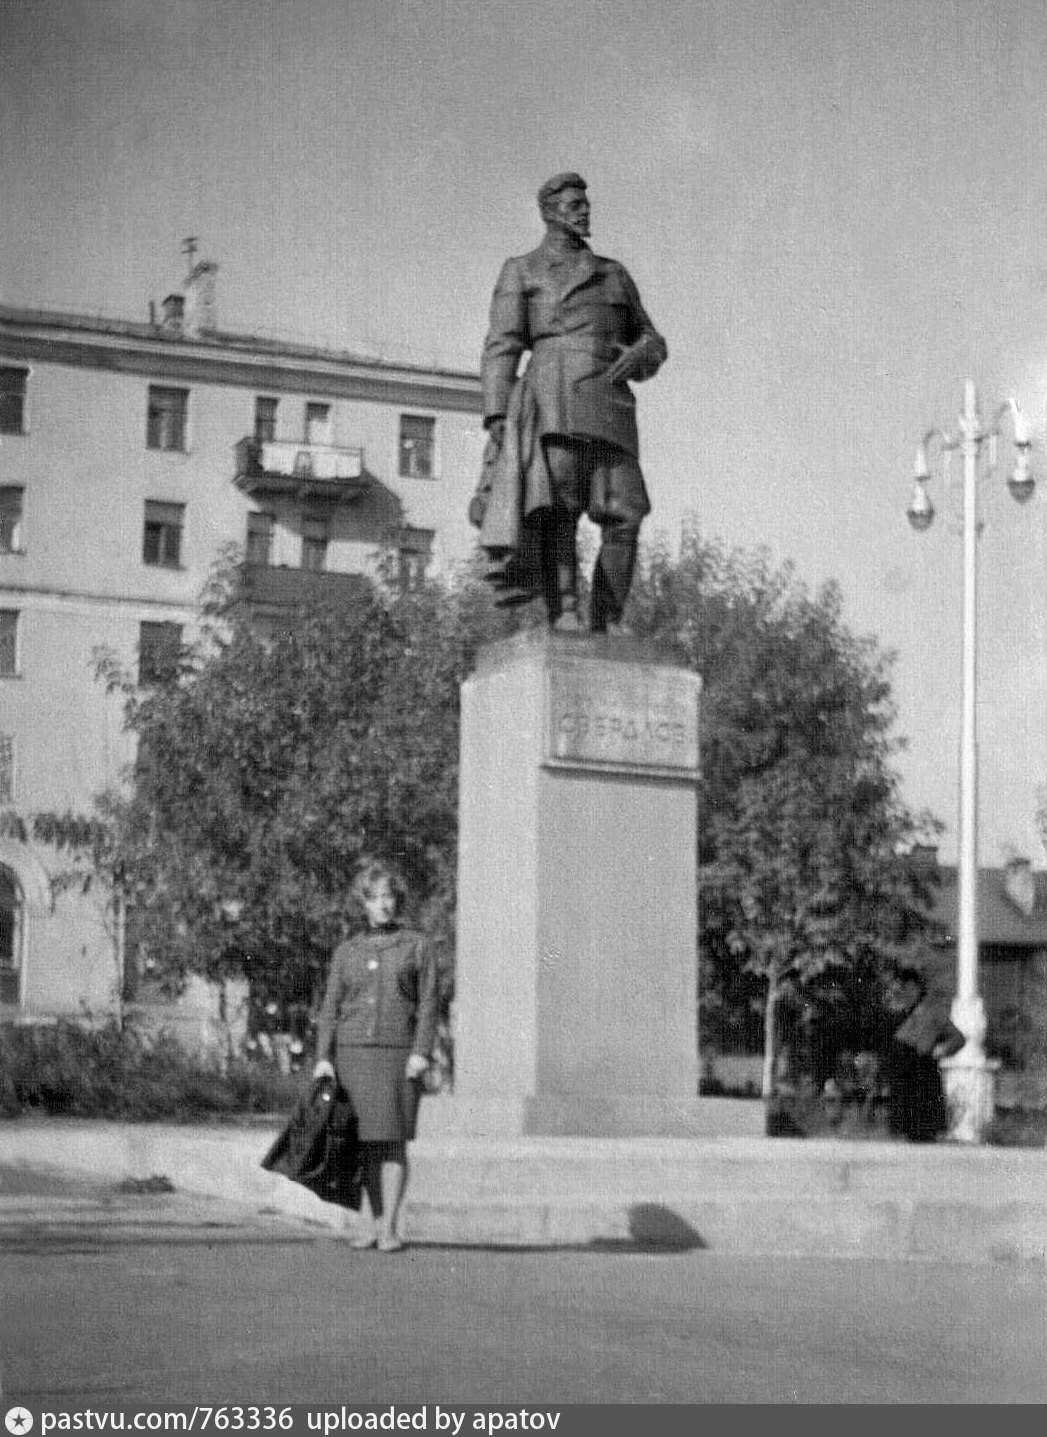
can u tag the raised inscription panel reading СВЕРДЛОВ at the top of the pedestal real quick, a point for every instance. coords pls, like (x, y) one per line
(623, 716)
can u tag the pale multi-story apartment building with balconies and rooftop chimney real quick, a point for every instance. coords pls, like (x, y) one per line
(131, 455)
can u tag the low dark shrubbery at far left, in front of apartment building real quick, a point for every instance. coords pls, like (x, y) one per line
(113, 1073)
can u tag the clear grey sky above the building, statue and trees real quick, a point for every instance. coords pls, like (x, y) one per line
(835, 212)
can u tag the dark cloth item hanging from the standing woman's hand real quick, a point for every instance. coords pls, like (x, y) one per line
(320, 1150)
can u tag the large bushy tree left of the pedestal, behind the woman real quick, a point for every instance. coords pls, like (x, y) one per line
(266, 768)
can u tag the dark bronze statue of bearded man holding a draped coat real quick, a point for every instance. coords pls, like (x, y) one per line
(562, 438)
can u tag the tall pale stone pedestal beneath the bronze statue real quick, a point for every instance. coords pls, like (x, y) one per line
(577, 936)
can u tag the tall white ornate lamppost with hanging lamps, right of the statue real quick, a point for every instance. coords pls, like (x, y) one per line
(970, 1076)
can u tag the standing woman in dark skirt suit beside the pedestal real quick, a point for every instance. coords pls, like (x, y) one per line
(378, 1022)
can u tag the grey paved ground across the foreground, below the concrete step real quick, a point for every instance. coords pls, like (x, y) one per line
(124, 1298)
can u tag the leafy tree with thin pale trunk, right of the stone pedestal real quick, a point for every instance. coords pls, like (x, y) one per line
(802, 830)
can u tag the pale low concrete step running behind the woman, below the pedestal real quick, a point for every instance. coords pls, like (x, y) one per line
(733, 1195)
